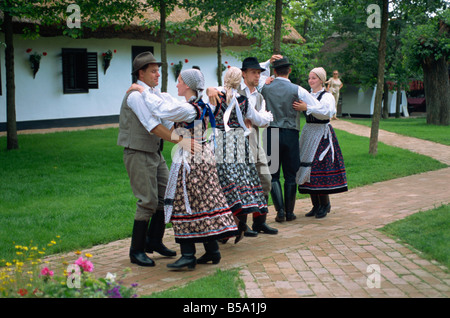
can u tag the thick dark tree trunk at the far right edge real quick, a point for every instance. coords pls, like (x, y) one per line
(437, 90)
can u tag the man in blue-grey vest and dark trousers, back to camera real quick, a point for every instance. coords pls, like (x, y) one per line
(279, 97)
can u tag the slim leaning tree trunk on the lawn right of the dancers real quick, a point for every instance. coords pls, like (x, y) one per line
(373, 144)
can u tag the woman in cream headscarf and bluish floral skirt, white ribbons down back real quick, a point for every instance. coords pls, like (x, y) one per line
(236, 166)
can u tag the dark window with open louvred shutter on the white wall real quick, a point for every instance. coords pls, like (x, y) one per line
(80, 71)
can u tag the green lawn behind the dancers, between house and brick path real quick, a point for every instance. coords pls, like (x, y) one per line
(74, 184)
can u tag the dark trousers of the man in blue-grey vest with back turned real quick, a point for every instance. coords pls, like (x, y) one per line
(283, 152)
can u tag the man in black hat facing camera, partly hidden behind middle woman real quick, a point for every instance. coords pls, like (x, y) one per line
(251, 73)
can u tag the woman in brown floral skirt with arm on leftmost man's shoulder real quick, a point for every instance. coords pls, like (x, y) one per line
(194, 201)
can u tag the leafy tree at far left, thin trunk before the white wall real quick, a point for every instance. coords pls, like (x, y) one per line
(53, 13)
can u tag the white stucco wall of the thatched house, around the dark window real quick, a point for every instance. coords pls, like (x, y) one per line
(43, 98)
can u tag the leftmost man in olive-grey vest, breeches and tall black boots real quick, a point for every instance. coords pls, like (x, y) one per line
(140, 134)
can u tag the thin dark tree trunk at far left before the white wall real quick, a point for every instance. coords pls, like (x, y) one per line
(11, 125)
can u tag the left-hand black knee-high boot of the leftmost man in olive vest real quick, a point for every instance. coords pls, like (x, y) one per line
(137, 249)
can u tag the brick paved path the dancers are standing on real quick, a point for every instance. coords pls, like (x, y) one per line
(328, 257)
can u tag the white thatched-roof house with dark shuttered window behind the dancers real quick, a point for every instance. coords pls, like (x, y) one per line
(57, 97)
